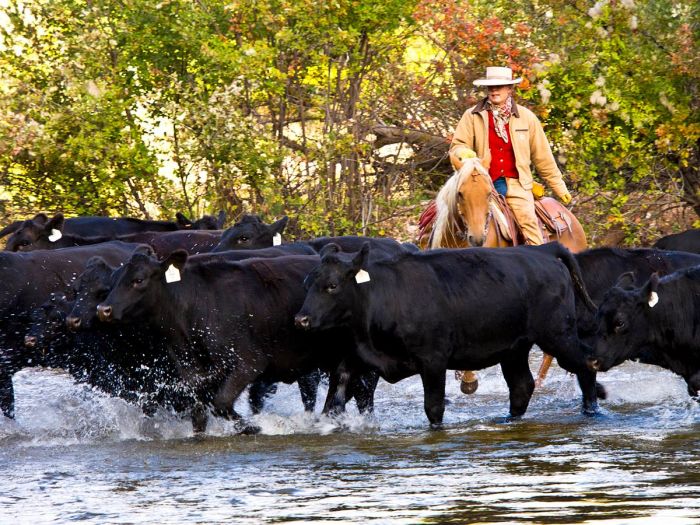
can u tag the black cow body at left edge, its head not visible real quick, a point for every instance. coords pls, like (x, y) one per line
(27, 280)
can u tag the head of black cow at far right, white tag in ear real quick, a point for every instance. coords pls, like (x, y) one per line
(623, 323)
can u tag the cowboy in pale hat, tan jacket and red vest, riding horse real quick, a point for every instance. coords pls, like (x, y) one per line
(508, 138)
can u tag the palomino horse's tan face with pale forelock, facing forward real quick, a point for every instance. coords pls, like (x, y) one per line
(473, 201)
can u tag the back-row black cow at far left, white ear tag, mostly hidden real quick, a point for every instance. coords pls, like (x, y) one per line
(41, 232)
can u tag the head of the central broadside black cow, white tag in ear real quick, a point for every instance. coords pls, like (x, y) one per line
(334, 296)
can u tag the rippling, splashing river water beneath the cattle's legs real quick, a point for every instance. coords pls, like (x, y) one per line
(74, 455)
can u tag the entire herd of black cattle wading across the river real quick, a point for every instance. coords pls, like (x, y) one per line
(185, 315)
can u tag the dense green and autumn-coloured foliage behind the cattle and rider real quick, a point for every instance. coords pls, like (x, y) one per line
(339, 113)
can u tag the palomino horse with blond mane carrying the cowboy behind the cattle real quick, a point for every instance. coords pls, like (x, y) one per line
(470, 212)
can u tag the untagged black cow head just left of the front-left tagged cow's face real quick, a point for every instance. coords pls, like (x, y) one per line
(90, 288)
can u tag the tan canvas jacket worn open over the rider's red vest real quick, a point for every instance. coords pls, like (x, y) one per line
(529, 144)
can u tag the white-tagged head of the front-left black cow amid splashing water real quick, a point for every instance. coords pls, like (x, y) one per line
(138, 286)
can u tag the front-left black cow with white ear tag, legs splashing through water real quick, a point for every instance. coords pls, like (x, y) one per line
(226, 323)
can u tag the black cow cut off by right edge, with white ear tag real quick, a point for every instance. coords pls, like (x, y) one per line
(657, 323)
